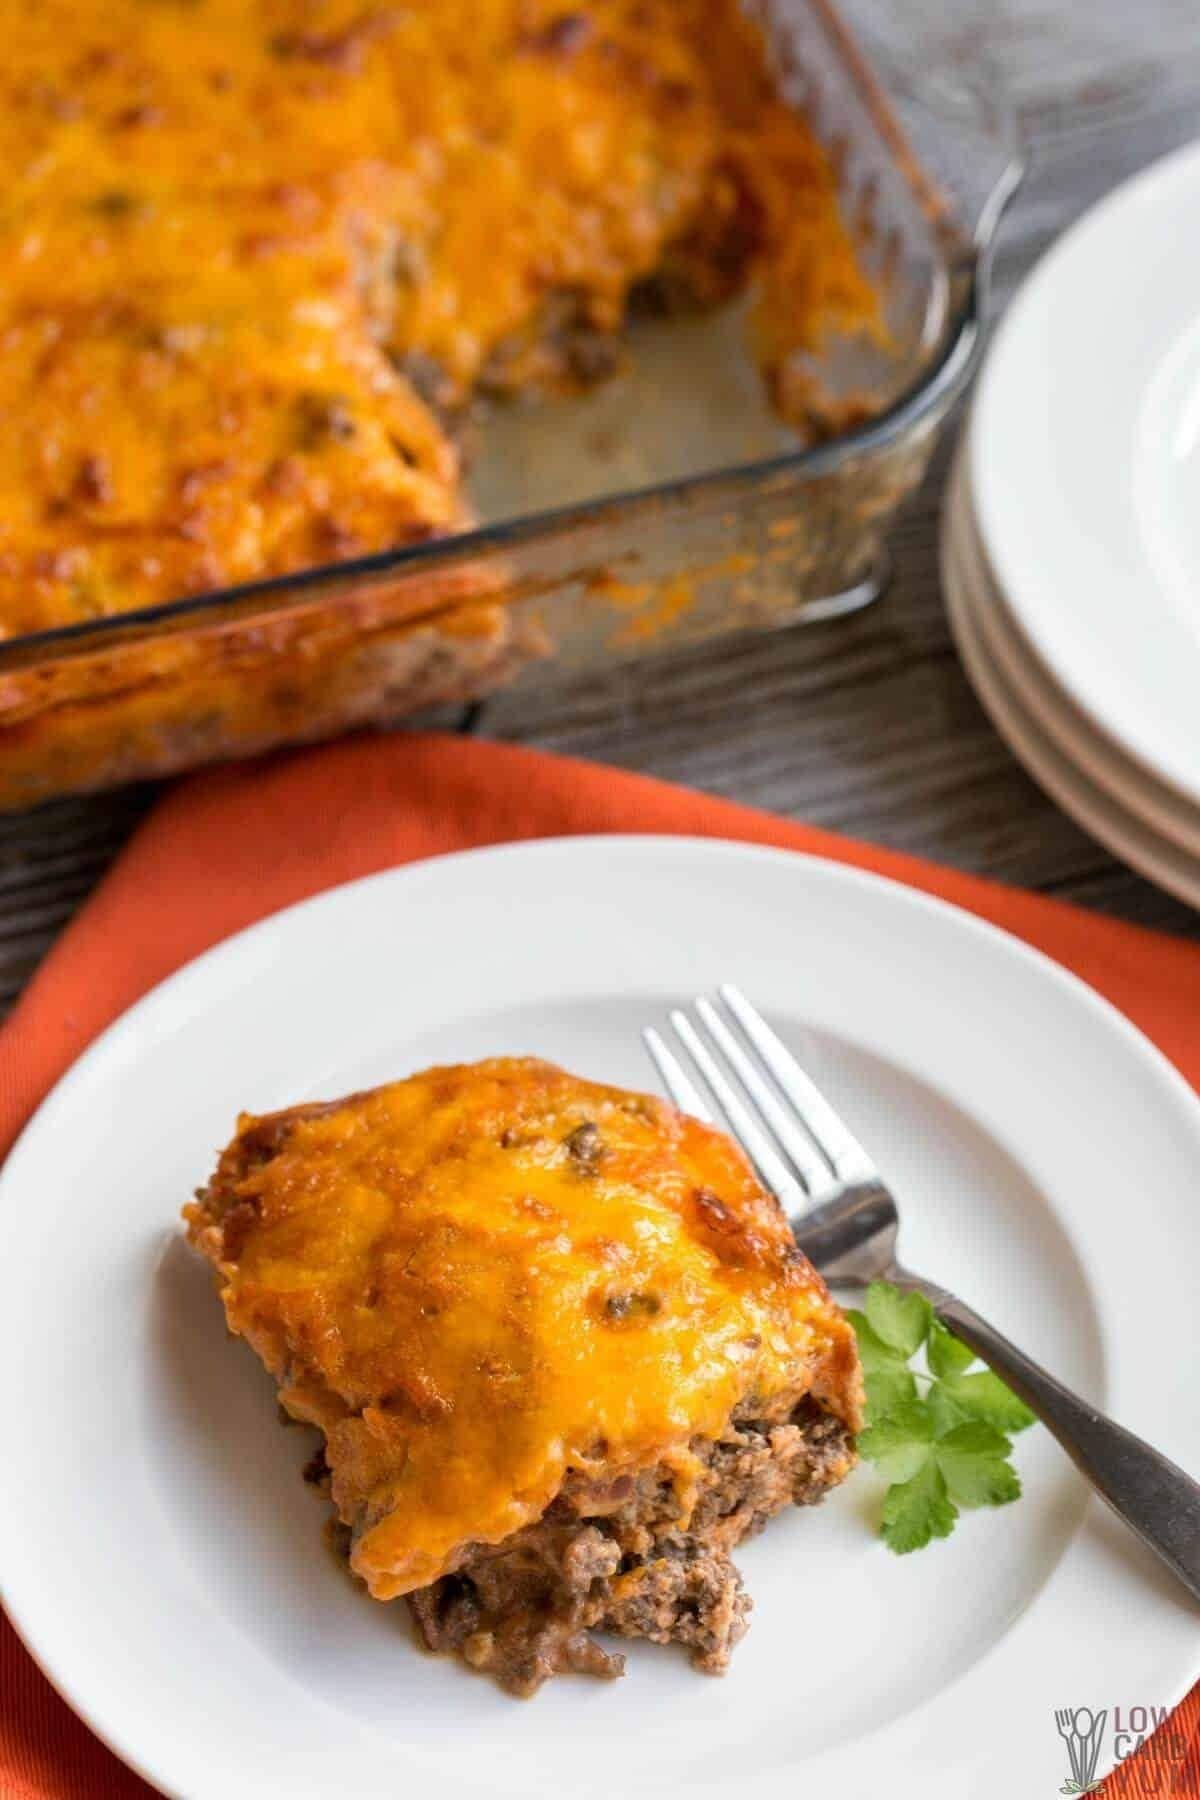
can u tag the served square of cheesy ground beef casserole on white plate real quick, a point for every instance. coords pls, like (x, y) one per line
(562, 1347)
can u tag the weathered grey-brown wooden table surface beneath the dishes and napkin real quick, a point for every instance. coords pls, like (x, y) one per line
(868, 724)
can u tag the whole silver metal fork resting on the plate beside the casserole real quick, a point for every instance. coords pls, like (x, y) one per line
(846, 1223)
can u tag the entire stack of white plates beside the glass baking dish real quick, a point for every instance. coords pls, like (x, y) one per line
(1071, 534)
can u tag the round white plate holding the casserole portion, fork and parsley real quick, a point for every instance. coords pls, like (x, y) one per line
(165, 1561)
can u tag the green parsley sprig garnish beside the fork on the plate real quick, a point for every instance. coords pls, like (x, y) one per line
(938, 1435)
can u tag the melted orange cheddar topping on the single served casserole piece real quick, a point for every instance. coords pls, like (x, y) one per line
(485, 1277)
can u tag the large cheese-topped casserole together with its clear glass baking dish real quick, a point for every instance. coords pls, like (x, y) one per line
(264, 262)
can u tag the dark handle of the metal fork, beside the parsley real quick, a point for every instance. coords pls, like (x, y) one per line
(1143, 1488)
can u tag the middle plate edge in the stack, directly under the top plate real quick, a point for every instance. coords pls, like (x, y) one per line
(1097, 757)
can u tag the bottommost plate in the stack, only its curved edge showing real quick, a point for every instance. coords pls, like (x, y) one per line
(974, 607)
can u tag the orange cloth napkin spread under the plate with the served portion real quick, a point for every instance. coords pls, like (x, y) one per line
(226, 849)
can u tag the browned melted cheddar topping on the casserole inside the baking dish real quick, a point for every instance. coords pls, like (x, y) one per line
(244, 244)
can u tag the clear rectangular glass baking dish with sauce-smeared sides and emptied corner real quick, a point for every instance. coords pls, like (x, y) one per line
(667, 507)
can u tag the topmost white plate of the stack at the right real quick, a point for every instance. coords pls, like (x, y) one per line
(1086, 467)
